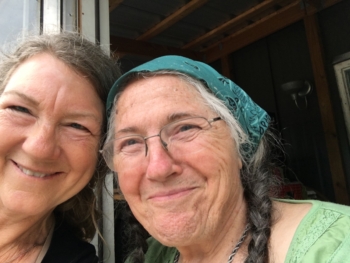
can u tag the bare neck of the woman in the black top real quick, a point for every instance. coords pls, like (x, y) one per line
(21, 235)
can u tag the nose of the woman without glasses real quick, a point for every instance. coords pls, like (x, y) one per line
(41, 142)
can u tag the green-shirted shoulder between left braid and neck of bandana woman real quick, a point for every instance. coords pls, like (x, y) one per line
(157, 253)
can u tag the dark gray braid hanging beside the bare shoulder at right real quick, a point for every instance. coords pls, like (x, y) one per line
(258, 184)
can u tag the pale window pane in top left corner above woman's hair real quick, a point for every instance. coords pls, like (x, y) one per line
(18, 18)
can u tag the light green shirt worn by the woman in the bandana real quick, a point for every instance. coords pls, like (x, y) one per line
(323, 236)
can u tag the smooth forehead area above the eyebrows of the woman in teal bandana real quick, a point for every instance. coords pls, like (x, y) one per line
(161, 96)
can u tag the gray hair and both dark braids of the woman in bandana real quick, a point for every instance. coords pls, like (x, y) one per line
(255, 176)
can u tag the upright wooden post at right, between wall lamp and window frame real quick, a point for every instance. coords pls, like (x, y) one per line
(327, 115)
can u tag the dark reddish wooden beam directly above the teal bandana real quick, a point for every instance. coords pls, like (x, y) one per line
(121, 46)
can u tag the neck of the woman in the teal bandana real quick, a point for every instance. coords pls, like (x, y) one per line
(217, 246)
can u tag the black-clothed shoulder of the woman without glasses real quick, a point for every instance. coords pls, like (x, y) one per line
(66, 247)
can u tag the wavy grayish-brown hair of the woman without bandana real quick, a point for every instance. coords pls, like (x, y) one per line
(89, 60)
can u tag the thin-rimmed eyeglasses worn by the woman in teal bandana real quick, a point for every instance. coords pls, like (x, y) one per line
(176, 134)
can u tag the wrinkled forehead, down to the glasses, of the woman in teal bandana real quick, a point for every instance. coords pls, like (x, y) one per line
(158, 99)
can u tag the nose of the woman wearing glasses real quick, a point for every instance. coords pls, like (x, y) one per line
(161, 165)
